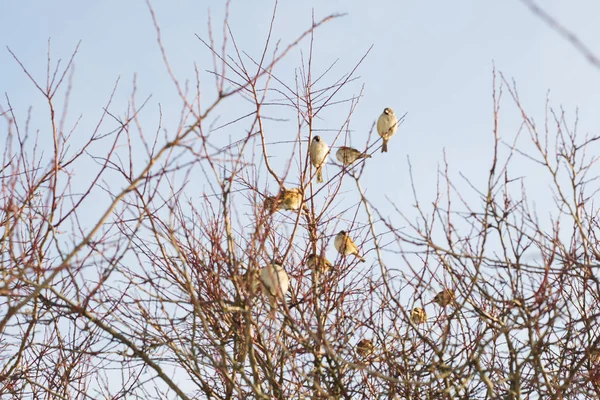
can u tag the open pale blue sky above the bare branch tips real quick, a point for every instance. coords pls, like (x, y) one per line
(431, 60)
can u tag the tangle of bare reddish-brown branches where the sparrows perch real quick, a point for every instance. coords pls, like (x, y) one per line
(142, 282)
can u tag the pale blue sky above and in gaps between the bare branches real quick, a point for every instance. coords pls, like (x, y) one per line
(431, 60)
